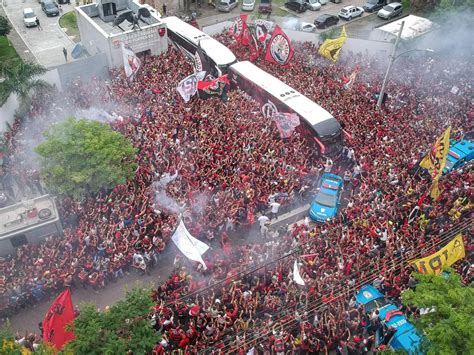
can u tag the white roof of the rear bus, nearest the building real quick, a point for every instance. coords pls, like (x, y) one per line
(215, 50)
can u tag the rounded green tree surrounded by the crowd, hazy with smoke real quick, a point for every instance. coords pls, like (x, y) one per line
(80, 157)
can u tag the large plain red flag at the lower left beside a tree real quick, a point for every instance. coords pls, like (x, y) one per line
(58, 316)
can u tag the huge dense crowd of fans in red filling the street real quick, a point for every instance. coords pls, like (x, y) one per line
(219, 164)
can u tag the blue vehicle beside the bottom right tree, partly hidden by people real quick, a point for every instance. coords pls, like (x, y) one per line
(405, 338)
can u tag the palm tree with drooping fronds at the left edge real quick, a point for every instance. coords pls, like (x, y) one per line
(22, 80)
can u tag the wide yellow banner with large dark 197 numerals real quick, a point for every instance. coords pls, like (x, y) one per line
(448, 255)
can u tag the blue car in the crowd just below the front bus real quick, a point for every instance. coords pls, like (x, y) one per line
(325, 204)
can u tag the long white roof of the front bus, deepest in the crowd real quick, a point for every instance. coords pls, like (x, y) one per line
(306, 108)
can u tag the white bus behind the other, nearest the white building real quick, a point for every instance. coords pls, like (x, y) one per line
(187, 37)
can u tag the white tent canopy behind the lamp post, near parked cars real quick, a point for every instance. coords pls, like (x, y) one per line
(414, 27)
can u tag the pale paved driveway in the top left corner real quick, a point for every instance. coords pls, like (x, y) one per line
(46, 45)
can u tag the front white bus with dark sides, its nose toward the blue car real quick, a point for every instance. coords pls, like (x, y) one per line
(316, 124)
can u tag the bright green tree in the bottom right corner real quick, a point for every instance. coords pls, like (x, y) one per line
(448, 327)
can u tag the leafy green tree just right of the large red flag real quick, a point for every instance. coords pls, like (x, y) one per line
(122, 328)
